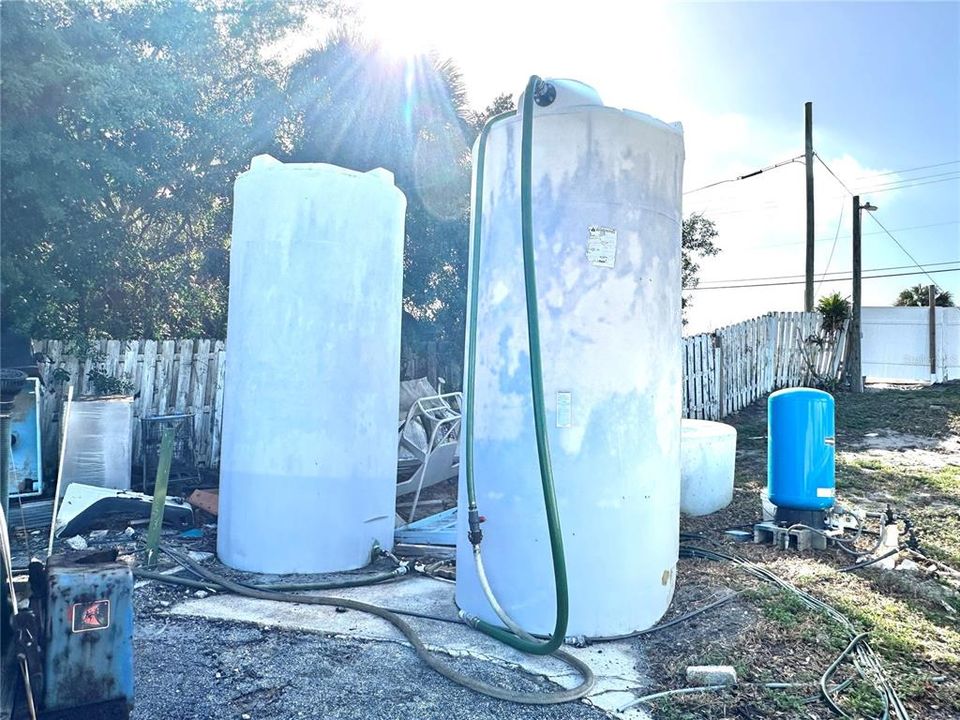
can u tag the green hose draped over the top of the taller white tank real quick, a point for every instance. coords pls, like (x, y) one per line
(523, 642)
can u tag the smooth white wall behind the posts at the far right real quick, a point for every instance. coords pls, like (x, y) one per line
(895, 344)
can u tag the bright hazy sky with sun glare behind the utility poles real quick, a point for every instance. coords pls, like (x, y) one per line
(884, 79)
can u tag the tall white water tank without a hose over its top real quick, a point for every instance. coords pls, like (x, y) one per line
(308, 462)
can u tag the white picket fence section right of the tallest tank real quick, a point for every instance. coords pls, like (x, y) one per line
(726, 370)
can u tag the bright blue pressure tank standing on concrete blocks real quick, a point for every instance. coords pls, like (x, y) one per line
(800, 449)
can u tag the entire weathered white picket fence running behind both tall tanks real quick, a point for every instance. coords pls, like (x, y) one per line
(723, 371)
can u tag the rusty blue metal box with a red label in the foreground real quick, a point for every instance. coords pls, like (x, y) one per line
(88, 625)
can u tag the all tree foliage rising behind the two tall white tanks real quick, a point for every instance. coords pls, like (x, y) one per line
(124, 126)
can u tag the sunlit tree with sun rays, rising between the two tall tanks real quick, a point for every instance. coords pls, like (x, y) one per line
(351, 104)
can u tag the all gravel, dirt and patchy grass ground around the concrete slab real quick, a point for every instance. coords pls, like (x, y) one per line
(896, 446)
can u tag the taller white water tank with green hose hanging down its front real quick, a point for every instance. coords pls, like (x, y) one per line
(607, 224)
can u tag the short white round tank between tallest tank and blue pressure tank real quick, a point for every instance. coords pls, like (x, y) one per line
(708, 454)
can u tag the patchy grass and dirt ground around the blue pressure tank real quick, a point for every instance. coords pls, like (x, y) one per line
(895, 446)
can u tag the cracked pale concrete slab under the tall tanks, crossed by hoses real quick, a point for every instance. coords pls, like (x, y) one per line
(617, 665)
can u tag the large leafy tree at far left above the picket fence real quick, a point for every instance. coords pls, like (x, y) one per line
(123, 127)
